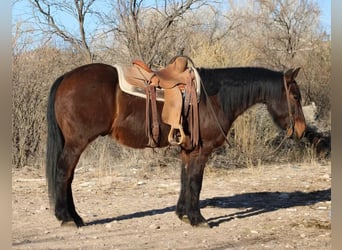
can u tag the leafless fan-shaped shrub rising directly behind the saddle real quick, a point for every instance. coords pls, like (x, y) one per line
(146, 30)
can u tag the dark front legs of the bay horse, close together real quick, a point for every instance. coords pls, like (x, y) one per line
(188, 207)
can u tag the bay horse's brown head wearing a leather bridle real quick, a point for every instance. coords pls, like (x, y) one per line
(287, 111)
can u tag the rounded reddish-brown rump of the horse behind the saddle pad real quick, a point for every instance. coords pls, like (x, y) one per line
(85, 102)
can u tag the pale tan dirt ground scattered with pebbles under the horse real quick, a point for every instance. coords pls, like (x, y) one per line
(267, 207)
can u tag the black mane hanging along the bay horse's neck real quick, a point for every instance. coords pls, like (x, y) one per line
(242, 87)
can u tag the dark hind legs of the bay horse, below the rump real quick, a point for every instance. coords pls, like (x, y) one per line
(65, 207)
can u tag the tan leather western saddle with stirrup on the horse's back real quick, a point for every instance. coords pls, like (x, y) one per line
(177, 81)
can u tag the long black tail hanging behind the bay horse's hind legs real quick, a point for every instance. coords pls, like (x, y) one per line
(55, 143)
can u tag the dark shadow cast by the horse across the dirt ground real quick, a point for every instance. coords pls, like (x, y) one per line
(250, 204)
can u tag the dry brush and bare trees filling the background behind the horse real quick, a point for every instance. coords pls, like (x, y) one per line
(255, 34)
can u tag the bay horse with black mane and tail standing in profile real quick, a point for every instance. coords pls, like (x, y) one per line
(87, 102)
